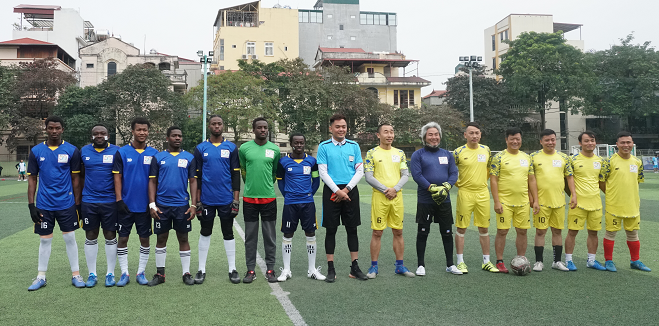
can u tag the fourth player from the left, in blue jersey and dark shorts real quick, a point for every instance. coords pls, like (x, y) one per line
(169, 205)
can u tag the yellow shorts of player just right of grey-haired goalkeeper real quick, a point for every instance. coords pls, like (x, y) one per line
(478, 203)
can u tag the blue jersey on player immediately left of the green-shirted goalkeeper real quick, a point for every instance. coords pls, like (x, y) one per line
(214, 163)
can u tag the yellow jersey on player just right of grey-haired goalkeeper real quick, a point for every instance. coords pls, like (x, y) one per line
(472, 166)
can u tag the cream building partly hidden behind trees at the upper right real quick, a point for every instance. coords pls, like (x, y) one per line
(567, 125)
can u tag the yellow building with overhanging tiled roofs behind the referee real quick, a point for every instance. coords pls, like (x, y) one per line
(378, 72)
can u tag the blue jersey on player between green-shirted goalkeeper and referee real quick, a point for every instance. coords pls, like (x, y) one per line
(298, 179)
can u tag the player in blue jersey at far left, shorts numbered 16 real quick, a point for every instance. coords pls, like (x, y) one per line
(55, 166)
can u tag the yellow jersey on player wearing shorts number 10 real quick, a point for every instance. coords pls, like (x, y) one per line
(550, 173)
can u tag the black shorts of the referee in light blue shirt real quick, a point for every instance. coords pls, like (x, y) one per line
(344, 212)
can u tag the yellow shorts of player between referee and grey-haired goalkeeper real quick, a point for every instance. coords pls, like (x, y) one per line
(385, 212)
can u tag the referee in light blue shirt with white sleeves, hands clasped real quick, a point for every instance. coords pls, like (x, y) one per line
(340, 167)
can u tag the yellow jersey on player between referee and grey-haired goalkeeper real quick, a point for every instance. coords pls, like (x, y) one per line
(385, 165)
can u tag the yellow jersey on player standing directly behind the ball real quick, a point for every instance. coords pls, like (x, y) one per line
(513, 171)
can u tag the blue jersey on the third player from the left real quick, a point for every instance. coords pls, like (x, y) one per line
(134, 168)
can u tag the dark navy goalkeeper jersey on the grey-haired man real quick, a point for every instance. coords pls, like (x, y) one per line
(432, 167)
